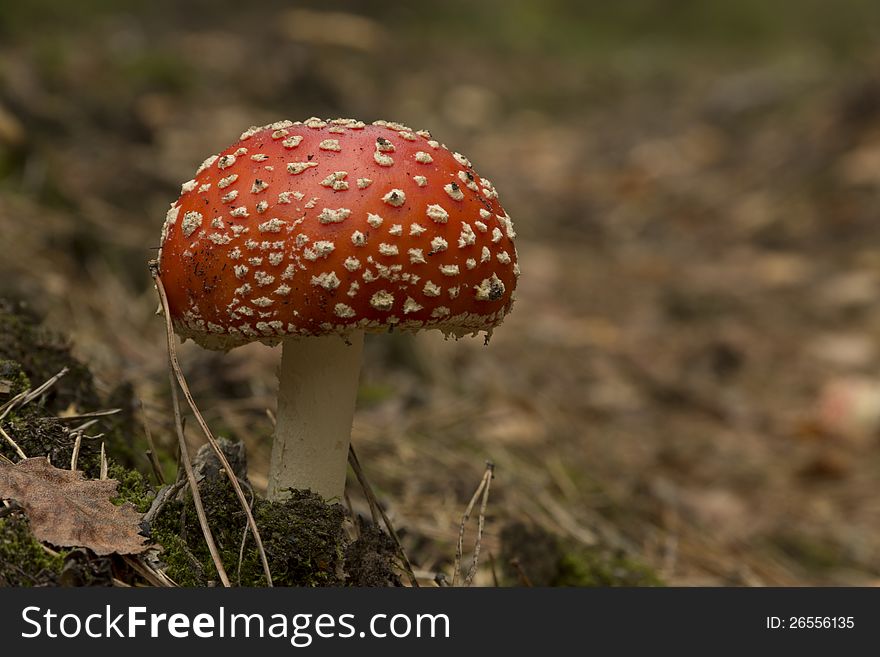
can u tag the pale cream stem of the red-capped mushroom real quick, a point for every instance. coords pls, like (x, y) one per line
(318, 385)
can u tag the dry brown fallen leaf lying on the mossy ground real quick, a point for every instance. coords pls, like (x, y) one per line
(67, 510)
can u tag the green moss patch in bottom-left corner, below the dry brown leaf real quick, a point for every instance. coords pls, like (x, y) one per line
(23, 561)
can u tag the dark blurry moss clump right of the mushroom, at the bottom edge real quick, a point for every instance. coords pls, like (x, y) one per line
(545, 559)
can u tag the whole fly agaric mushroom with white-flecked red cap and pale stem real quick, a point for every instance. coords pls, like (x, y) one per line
(311, 233)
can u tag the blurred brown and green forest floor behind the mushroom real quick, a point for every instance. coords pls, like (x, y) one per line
(689, 378)
